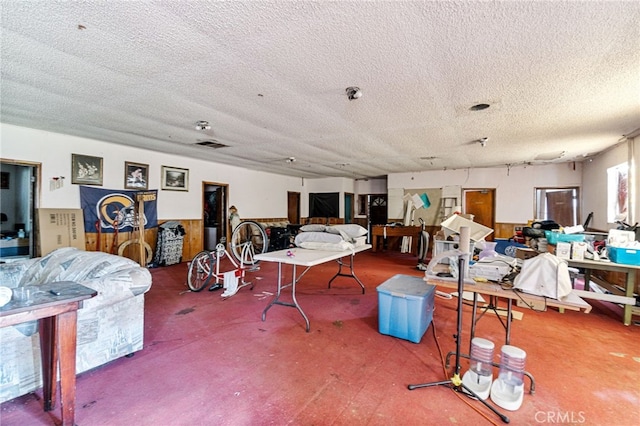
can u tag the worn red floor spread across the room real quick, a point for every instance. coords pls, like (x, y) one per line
(212, 361)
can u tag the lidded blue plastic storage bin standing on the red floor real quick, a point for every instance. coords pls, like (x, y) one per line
(405, 307)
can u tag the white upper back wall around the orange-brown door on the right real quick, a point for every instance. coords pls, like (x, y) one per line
(515, 187)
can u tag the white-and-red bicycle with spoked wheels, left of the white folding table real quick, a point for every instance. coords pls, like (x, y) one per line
(245, 242)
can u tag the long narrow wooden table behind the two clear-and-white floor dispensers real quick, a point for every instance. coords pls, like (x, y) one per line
(572, 301)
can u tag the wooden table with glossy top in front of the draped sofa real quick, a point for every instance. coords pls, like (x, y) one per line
(57, 317)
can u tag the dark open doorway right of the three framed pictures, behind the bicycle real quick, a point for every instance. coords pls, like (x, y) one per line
(214, 214)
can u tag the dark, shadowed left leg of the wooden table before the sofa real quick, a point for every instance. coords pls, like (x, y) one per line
(49, 359)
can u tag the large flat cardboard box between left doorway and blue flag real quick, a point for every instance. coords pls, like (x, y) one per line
(59, 228)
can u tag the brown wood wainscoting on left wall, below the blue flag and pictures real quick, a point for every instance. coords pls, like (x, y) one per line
(191, 245)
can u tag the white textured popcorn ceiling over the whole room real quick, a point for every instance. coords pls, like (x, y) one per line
(562, 79)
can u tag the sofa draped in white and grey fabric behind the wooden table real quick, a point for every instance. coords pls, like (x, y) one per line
(110, 325)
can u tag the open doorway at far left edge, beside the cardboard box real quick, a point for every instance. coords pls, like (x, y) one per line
(20, 194)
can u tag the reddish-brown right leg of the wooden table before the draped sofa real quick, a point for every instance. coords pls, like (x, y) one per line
(67, 327)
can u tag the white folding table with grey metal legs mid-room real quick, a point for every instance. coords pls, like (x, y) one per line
(306, 258)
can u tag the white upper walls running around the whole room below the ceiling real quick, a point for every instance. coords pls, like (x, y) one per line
(259, 194)
